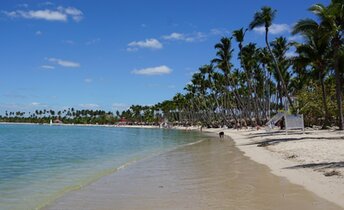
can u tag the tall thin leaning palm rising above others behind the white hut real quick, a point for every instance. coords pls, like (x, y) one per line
(264, 18)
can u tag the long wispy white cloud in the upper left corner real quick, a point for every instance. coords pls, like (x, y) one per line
(61, 14)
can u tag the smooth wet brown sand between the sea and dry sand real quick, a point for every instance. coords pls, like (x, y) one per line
(212, 174)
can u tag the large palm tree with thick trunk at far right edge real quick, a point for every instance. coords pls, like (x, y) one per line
(331, 27)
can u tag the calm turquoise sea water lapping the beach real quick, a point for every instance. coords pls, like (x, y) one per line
(40, 163)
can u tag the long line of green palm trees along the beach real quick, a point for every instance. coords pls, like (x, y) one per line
(267, 80)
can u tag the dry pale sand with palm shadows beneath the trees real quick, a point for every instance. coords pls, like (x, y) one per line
(290, 160)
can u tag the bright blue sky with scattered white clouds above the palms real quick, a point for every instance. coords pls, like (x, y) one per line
(110, 54)
